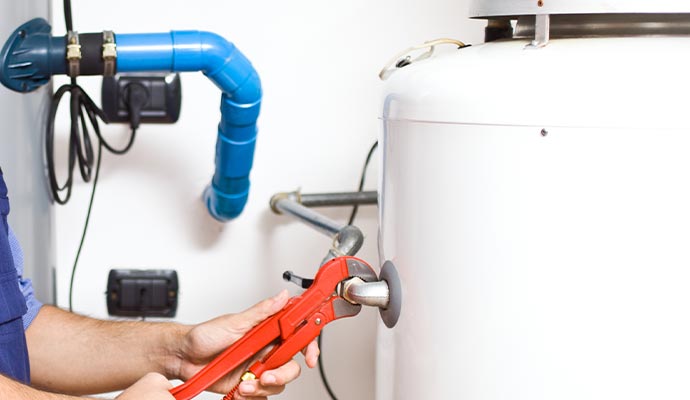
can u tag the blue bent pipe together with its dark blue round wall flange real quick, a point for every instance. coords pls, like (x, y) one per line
(31, 56)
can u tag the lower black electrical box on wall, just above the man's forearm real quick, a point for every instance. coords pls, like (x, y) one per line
(142, 293)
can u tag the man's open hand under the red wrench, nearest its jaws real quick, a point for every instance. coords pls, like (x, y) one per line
(203, 342)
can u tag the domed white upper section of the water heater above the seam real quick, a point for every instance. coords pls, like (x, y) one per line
(587, 82)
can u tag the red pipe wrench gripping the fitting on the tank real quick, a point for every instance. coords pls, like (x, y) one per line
(291, 328)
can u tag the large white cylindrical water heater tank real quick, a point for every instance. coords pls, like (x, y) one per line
(535, 201)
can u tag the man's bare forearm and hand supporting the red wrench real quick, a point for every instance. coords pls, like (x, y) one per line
(114, 354)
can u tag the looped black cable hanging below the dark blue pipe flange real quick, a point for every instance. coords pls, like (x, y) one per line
(83, 112)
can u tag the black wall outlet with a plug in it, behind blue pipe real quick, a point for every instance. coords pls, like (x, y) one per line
(163, 102)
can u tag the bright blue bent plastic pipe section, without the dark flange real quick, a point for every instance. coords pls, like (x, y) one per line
(229, 69)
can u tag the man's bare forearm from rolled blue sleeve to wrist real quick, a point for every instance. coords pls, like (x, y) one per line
(79, 355)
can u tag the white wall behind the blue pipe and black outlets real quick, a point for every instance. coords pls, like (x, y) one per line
(318, 61)
